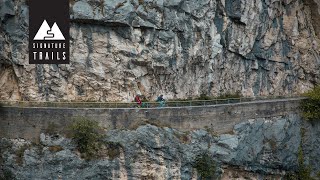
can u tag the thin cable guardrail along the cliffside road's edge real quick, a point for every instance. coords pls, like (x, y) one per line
(119, 105)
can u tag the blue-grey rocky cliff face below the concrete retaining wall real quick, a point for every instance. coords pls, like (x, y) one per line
(256, 149)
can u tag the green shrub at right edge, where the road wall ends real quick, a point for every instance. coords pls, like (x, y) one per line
(310, 107)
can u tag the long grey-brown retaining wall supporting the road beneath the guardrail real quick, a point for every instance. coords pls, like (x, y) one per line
(28, 123)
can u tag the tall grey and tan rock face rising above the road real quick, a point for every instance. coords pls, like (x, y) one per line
(180, 48)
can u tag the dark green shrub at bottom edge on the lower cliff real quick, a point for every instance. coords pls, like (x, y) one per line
(205, 166)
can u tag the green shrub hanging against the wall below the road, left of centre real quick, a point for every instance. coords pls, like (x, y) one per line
(86, 134)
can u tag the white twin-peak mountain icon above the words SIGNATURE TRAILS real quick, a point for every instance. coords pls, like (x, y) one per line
(47, 33)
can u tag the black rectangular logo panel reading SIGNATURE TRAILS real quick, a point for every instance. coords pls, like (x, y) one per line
(49, 25)
